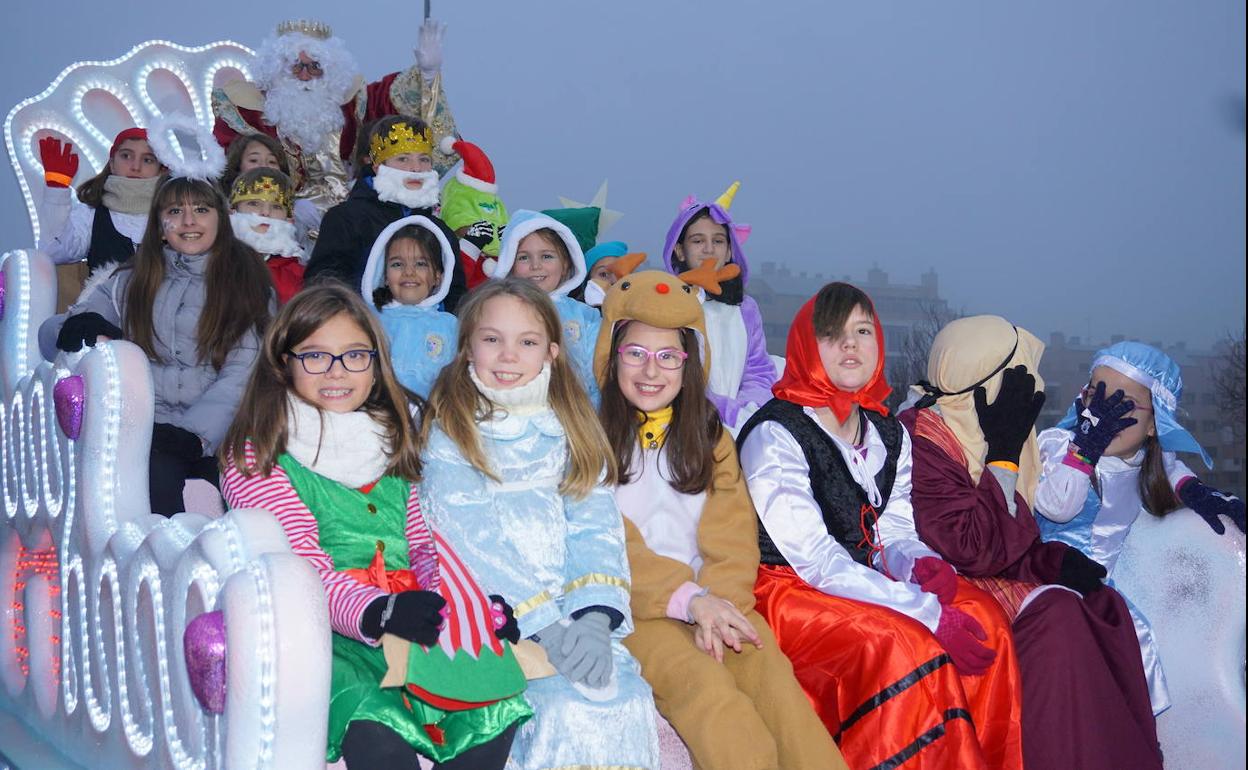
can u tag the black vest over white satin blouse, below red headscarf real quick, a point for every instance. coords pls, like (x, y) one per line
(841, 499)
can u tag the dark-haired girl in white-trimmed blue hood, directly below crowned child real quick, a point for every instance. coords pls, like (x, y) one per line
(407, 278)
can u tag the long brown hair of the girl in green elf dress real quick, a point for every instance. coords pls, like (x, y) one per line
(263, 416)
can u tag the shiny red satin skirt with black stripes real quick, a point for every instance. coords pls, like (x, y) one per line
(885, 688)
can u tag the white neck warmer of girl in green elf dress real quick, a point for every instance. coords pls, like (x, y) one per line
(350, 449)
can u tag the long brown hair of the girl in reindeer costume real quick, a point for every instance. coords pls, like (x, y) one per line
(693, 435)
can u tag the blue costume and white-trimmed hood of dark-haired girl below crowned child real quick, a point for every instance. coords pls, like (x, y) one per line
(422, 338)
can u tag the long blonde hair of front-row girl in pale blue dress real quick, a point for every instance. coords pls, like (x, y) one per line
(459, 406)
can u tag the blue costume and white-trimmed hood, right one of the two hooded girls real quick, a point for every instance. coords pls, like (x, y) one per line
(581, 323)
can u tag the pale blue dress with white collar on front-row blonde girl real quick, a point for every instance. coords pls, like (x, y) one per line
(550, 556)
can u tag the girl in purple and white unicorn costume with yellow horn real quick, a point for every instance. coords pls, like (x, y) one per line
(742, 373)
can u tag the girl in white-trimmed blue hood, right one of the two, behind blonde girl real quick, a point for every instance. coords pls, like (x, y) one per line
(541, 249)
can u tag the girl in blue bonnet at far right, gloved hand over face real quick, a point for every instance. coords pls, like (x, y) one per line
(1114, 457)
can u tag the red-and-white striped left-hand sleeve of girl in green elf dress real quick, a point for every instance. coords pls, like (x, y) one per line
(348, 597)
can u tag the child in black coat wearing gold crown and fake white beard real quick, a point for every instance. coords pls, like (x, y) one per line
(396, 180)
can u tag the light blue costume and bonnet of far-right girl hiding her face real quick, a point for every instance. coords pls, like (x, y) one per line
(1098, 517)
